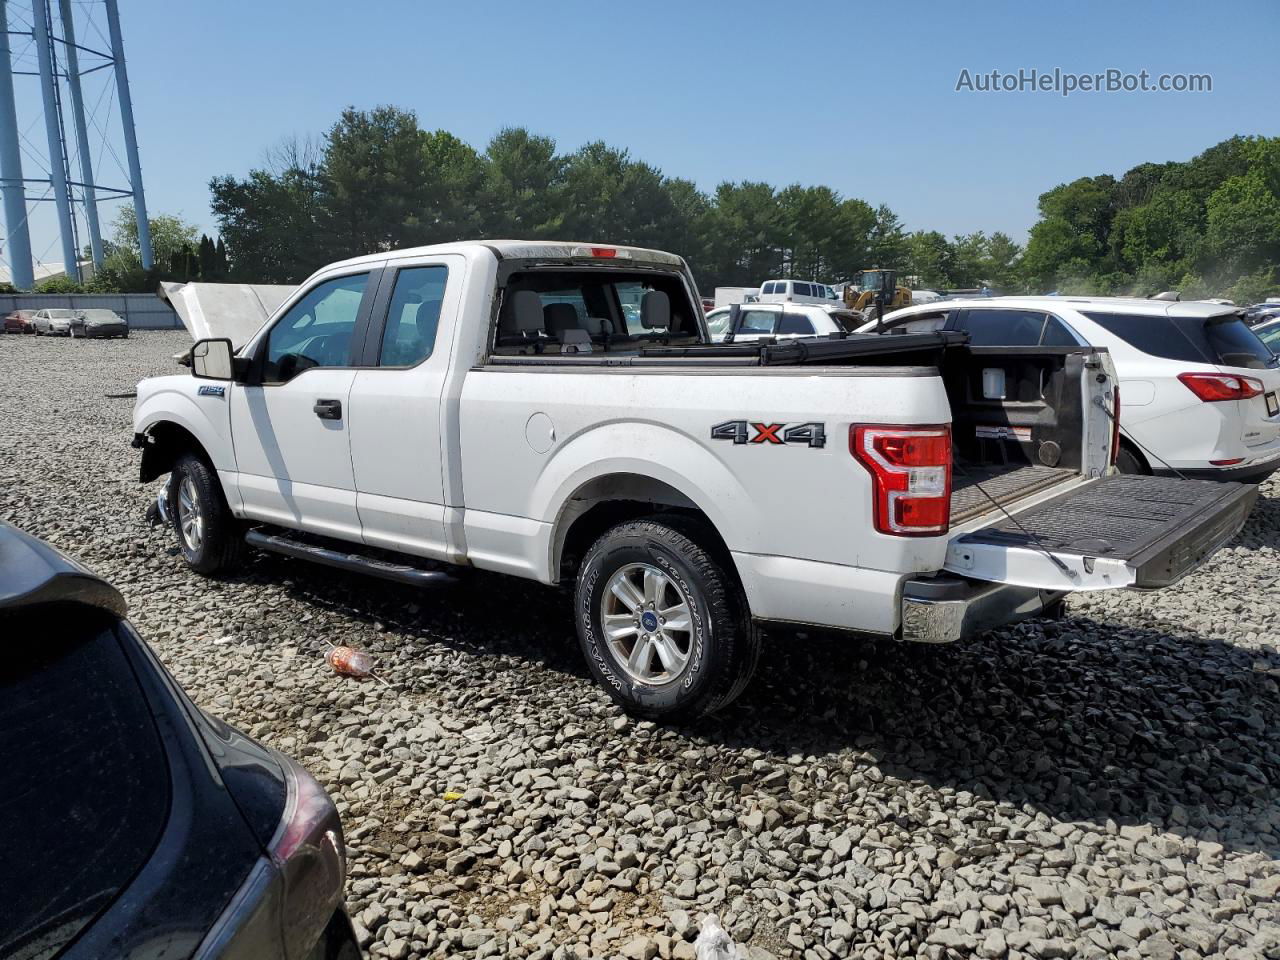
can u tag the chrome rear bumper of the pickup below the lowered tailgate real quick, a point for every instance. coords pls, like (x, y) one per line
(945, 609)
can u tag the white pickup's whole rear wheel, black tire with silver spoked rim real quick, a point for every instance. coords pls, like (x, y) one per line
(664, 625)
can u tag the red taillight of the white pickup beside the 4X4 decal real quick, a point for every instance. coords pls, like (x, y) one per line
(911, 469)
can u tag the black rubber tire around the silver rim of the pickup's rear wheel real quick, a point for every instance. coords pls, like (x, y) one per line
(724, 644)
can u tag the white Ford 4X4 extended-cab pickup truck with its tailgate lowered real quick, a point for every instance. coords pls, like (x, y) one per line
(557, 412)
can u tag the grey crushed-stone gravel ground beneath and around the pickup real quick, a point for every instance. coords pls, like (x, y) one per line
(1101, 787)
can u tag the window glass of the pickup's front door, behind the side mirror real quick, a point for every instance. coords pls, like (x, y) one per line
(317, 331)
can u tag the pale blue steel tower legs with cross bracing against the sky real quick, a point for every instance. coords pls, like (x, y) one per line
(74, 61)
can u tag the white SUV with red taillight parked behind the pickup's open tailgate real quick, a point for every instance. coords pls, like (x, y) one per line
(1200, 394)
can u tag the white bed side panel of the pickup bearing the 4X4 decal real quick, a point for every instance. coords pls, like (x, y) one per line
(774, 500)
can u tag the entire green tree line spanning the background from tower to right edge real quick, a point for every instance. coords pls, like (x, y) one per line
(377, 181)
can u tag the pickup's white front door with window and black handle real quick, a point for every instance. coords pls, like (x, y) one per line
(290, 426)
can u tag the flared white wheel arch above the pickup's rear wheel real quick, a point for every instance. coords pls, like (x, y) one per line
(651, 451)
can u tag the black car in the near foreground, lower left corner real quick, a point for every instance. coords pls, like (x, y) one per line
(140, 826)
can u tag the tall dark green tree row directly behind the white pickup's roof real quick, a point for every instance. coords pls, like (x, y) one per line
(378, 181)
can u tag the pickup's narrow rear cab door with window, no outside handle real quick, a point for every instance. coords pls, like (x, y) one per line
(396, 409)
